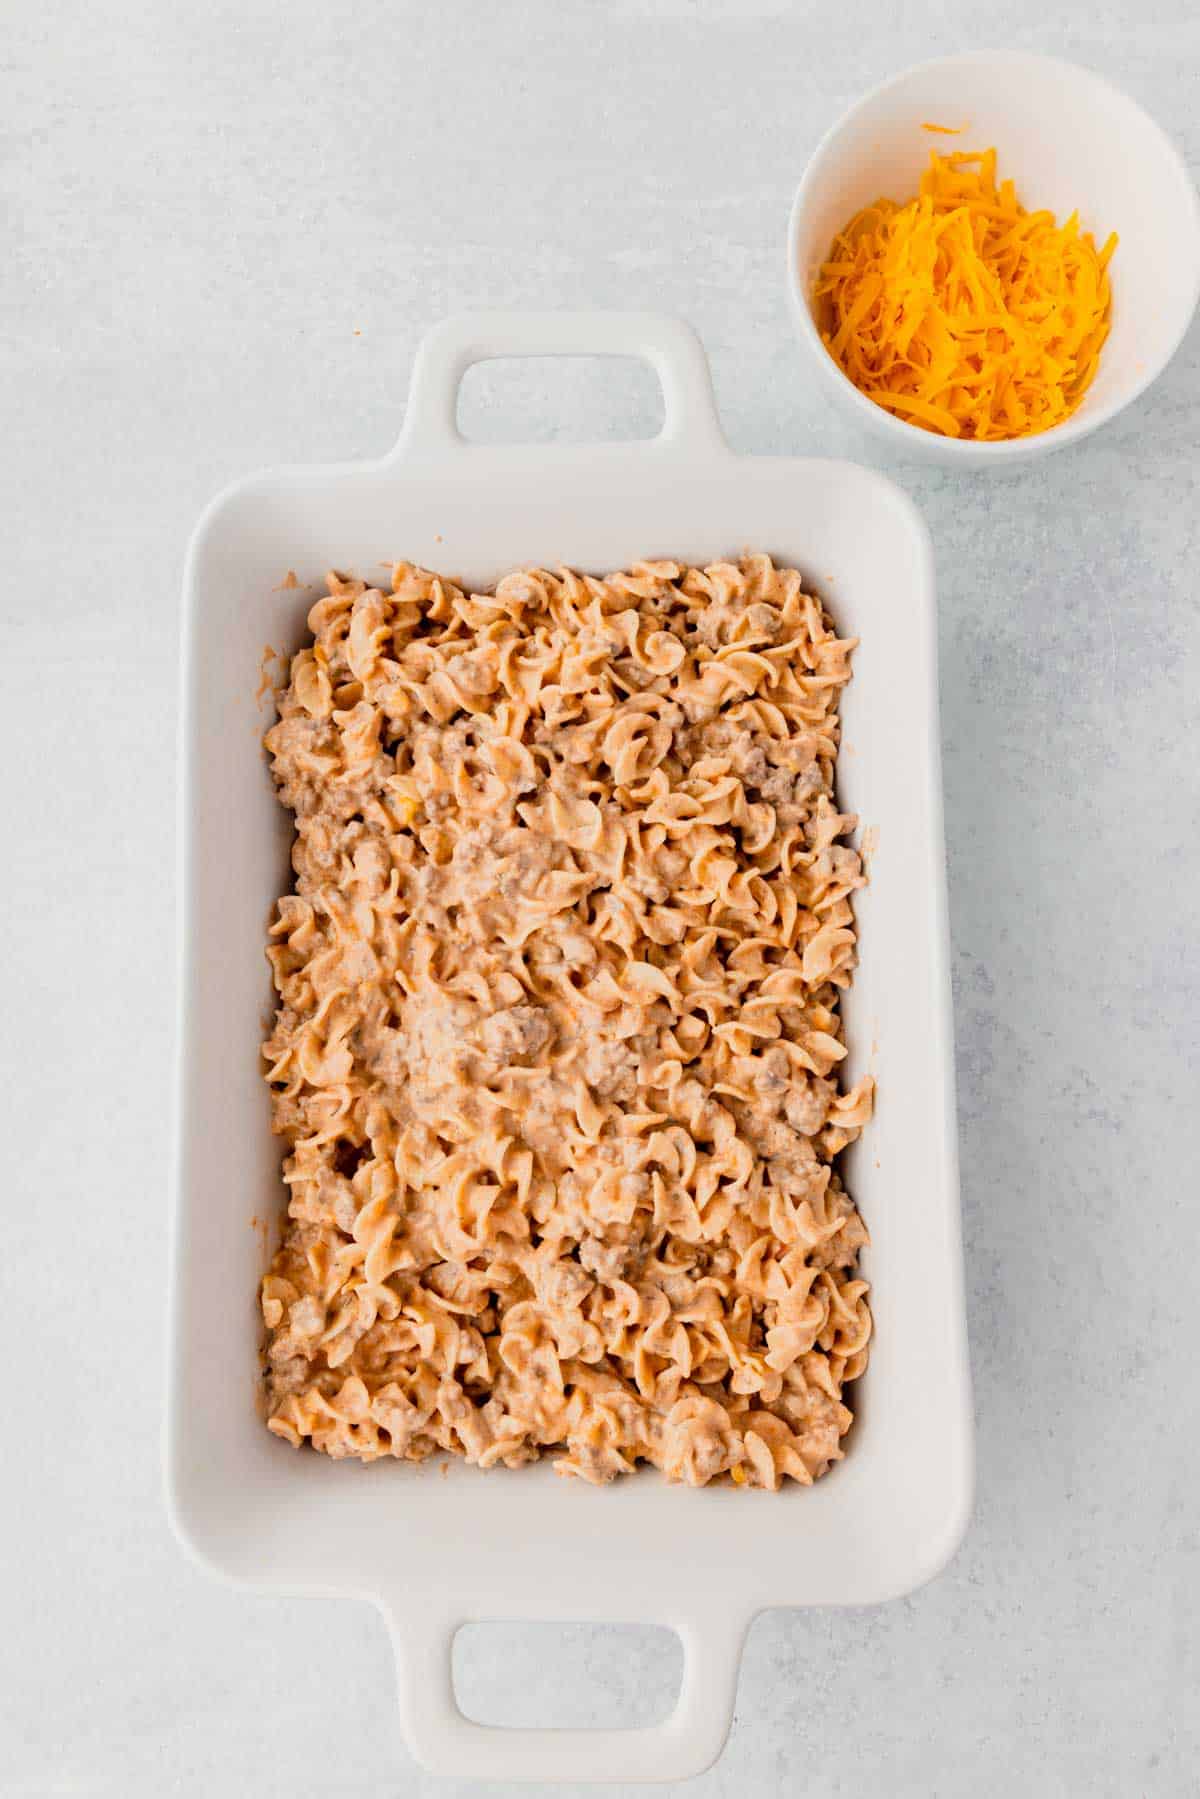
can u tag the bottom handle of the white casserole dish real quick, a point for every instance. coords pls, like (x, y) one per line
(447, 1742)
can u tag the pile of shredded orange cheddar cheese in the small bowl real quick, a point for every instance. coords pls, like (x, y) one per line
(962, 312)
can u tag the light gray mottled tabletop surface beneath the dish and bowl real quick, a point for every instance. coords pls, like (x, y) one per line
(229, 226)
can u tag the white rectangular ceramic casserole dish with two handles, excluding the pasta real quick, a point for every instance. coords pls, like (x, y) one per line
(429, 1552)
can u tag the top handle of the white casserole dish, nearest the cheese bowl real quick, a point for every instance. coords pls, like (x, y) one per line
(672, 348)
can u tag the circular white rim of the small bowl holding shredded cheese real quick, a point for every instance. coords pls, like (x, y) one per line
(933, 443)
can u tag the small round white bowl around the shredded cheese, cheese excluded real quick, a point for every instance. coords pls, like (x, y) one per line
(1070, 141)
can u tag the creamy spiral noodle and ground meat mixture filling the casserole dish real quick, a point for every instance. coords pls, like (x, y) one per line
(559, 1037)
